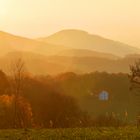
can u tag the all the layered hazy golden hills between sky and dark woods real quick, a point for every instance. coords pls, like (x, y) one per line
(63, 53)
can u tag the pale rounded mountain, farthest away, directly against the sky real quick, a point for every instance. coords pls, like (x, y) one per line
(82, 40)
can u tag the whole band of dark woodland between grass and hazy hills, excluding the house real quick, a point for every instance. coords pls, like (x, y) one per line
(65, 100)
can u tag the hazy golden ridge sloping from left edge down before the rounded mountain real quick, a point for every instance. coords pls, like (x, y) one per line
(11, 43)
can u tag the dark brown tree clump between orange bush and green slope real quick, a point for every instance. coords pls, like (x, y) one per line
(51, 108)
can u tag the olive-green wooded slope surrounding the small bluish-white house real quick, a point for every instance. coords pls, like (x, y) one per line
(87, 87)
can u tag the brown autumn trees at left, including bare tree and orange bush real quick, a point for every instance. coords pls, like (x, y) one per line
(37, 104)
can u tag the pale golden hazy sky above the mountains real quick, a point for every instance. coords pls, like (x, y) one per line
(115, 19)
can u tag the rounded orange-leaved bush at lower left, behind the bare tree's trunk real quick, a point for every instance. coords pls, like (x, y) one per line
(7, 112)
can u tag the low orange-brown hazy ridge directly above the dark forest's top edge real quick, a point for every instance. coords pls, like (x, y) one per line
(54, 64)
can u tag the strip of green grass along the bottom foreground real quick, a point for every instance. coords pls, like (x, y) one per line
(127, 133)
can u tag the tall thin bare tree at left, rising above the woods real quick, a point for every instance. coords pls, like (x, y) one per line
(17, 73)
